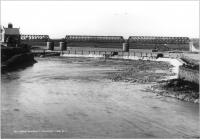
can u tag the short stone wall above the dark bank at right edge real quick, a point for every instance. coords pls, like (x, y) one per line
(188, 74)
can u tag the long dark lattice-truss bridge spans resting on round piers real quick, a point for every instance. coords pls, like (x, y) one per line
(134, 42)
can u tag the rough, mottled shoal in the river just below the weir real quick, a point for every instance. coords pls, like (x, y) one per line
(139, 71)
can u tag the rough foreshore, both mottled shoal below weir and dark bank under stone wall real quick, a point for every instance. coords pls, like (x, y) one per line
(157, 73)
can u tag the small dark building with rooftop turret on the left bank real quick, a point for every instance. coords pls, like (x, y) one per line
(10, 36)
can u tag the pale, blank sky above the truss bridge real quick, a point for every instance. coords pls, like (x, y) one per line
(120, 18)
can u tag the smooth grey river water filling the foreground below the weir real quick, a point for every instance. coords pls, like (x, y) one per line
(71, 97)
